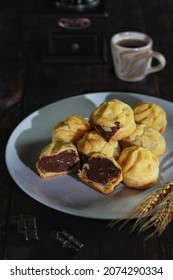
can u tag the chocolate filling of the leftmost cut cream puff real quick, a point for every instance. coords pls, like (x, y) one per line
(63, 161)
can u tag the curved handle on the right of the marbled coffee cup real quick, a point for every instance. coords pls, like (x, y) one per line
(161, 62)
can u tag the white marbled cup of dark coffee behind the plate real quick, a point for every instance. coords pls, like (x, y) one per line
(132, 56)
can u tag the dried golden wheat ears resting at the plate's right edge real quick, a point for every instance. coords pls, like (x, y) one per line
(155, 211)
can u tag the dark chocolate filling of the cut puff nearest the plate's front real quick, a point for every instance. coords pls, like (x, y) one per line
(101, 170)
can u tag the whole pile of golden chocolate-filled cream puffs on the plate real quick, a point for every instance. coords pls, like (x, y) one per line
(117, 144)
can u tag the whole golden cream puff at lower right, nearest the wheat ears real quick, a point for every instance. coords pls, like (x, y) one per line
(140, 167)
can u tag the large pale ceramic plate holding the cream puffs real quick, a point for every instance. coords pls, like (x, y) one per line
(67, 193)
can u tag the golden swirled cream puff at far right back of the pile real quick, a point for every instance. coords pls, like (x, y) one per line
(152, 115)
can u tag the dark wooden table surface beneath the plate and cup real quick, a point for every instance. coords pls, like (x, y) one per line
(27, 84)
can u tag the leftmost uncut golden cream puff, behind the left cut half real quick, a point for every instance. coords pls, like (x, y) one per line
(71, 129)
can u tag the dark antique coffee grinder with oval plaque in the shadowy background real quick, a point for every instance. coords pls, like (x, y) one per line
(75, 31)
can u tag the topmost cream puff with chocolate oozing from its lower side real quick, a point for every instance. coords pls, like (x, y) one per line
(113, 120)
